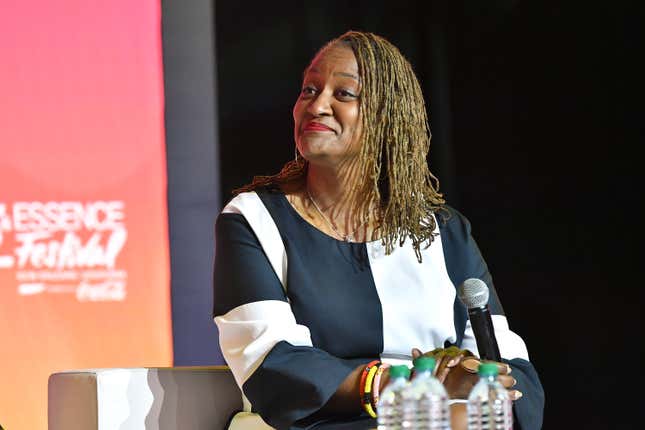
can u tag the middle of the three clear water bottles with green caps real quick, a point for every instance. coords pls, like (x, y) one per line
(425, 400)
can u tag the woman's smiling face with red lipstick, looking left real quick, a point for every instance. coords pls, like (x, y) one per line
(327, 113)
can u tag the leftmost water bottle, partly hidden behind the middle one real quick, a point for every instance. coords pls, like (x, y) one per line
(390, 402)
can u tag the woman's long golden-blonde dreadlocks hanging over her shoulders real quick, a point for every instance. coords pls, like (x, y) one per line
(394, 143)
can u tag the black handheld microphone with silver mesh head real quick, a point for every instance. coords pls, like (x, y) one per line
(473, 293)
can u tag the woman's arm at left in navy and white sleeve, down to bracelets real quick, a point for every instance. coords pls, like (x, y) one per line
(272, 357)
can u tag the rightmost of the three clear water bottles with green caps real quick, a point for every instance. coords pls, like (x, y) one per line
(489, 406)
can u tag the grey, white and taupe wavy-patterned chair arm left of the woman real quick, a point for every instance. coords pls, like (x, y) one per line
(175, 398)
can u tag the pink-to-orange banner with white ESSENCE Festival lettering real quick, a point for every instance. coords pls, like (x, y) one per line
(84, 264)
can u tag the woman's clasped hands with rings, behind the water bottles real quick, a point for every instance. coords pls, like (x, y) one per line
(457, 370)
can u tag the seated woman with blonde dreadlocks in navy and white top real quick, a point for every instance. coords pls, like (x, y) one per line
(350, 255)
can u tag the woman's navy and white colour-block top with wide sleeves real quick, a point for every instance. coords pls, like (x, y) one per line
(297, 310)
